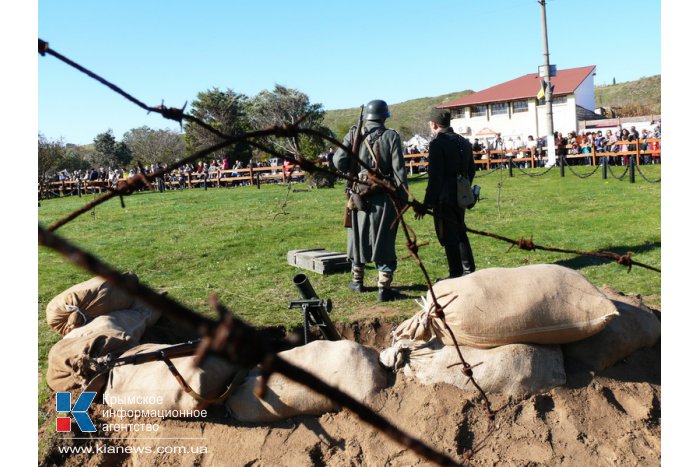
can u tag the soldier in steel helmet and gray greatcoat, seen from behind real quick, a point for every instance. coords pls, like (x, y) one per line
(371, 237)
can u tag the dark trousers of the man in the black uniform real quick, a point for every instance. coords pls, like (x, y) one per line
(452, 234)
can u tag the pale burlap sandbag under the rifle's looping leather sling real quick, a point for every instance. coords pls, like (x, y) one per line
(153, 380)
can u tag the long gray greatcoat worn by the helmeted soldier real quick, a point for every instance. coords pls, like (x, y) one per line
(371, 238)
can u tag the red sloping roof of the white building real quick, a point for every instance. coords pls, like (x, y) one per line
(525, 87)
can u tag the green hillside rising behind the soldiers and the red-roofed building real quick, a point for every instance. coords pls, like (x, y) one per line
(409, 117)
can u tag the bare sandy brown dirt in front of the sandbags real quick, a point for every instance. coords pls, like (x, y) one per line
(609, 418)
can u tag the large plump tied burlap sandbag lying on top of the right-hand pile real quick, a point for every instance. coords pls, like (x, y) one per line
(537, 304)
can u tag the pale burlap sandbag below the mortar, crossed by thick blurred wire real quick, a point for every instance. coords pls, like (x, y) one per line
(344, 364)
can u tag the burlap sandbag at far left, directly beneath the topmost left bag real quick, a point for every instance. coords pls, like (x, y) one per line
(69, 358)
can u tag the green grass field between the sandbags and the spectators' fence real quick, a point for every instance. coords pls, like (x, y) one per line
(234, 242)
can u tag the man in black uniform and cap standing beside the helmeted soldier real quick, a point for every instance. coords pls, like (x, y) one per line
(449, 154)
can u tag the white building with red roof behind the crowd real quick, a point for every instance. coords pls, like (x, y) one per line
(512, 108)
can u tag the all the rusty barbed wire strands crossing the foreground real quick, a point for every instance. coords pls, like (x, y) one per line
(234, 338)
